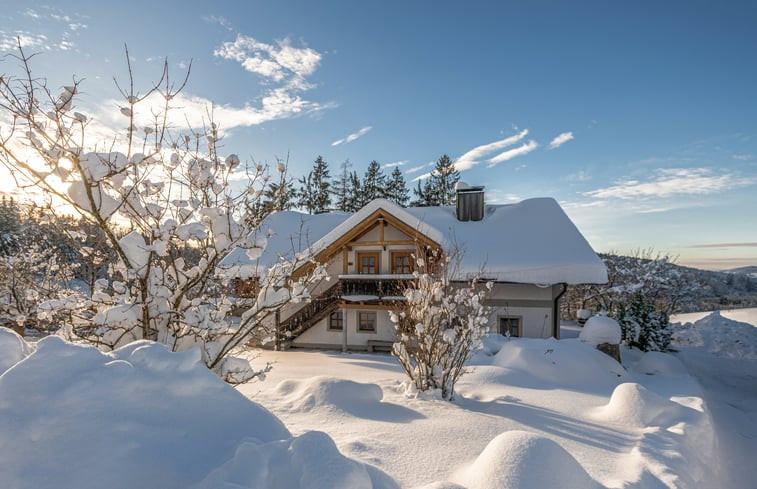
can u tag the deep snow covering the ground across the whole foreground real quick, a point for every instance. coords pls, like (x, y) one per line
(531, 413)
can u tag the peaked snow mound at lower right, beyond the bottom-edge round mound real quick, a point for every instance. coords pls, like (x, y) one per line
(632, 404)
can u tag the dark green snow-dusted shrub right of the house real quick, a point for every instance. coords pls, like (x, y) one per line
(643, 326)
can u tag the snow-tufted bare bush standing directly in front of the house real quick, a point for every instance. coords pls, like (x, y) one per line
(438, 326)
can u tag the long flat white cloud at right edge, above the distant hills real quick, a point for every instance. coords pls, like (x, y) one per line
(674, 181)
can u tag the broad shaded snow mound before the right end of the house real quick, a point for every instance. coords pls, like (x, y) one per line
(560, 363)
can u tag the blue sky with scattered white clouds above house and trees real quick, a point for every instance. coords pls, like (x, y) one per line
(640, 118)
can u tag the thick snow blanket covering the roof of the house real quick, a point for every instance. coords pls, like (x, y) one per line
(533, 241)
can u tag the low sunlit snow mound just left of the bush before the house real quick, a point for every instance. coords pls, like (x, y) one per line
(330, 393)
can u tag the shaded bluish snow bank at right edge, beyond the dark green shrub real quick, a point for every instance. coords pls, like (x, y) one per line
(718, 335)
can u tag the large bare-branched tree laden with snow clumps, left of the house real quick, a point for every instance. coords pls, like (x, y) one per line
(172, 190)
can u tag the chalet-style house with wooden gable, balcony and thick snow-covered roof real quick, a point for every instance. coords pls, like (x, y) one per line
(531, 250)
